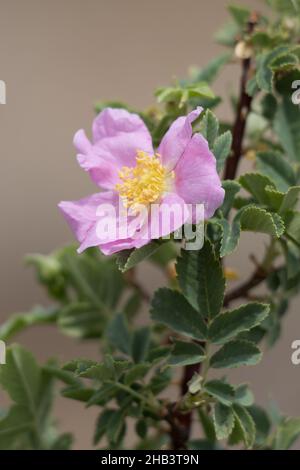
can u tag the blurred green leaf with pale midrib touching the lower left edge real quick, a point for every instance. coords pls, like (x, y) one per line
(20, 377)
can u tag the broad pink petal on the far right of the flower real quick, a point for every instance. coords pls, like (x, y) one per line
(196, 177)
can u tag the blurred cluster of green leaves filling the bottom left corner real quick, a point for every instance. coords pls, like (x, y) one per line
(27, 424)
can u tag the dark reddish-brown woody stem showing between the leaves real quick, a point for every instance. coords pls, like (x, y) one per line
(181, 422)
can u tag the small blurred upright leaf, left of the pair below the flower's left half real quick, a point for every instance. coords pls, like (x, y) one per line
(118, 334)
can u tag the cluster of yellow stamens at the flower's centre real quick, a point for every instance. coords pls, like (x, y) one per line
(145, 183)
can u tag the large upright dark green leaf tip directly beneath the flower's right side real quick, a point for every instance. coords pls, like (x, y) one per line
(201, 279)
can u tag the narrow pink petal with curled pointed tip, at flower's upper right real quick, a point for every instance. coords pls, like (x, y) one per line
(177, 138)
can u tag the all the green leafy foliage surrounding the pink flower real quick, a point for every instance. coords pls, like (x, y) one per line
(193, 325)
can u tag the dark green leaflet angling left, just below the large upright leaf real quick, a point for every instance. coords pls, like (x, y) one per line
(172, 309)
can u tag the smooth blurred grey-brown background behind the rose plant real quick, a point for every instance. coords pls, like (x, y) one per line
(57, 58)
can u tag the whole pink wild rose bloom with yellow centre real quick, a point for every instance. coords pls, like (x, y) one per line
(122, 162)
